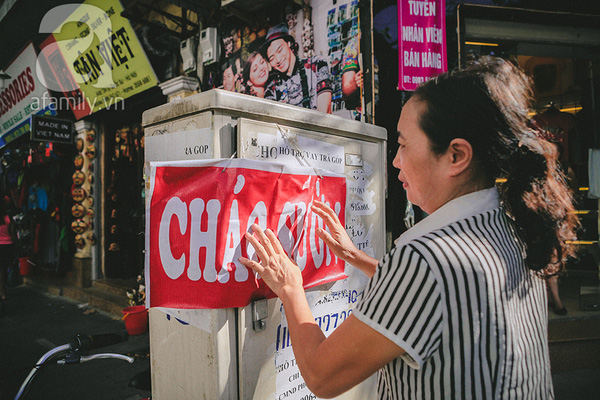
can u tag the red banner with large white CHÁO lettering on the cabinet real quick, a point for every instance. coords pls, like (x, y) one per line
(198, 214)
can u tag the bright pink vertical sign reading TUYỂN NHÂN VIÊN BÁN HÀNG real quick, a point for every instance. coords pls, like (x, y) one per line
(422, 41)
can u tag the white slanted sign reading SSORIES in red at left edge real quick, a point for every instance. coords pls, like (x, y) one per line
(21, 97)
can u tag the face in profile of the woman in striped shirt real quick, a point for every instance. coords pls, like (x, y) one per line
(420, 168)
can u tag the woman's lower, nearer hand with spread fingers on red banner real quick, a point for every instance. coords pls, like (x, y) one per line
(278, 271)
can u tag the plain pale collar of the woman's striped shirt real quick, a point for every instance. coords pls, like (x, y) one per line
(460, 208)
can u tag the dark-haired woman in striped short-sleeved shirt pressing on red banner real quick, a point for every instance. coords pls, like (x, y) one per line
(457, 310)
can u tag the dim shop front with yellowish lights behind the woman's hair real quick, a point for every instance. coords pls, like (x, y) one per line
(561, 54)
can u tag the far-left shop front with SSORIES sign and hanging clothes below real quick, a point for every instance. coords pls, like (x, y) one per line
(36, 156)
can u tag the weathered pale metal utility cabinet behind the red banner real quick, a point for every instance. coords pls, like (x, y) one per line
(245, 353)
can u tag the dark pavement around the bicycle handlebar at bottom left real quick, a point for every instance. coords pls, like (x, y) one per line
(35, 322)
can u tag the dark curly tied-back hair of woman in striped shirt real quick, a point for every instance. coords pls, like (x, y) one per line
(487, 104)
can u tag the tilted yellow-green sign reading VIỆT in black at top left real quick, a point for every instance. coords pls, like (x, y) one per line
(102, 55)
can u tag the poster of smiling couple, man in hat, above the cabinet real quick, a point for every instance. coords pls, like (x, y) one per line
(311, 59)
